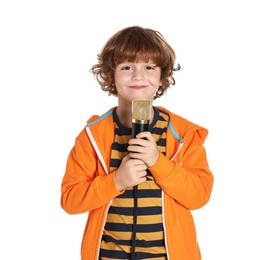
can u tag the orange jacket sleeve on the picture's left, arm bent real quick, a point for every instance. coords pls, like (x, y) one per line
(85, 186)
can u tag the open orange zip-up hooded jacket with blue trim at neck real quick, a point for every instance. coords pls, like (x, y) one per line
(183, 174)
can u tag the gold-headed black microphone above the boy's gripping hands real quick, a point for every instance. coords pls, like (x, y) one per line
(141, 114)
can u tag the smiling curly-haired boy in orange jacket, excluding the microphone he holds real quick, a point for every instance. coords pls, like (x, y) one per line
(138, 191)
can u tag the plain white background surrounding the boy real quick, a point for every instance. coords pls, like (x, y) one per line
(228, 83)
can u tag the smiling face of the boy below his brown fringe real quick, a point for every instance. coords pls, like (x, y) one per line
(137, 80)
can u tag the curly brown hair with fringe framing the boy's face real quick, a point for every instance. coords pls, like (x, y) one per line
(134, 44)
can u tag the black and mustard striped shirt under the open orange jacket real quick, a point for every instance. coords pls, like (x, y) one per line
(117, 235)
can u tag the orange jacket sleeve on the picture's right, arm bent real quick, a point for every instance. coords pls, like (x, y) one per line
(187, 178)
